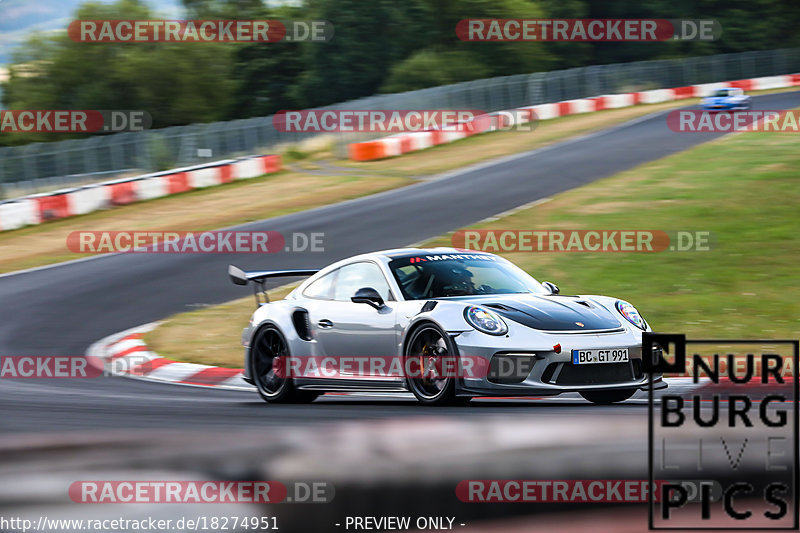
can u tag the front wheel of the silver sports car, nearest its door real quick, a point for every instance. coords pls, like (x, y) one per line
(432, 346)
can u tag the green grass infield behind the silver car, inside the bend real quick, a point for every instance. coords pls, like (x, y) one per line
(743, 188)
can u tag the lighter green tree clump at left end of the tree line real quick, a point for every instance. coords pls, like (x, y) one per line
(177, 83)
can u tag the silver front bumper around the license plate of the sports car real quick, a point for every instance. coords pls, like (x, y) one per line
(522, 370)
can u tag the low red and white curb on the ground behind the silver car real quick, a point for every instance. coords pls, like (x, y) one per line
(126, 354)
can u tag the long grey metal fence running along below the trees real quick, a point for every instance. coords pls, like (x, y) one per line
(184, 145)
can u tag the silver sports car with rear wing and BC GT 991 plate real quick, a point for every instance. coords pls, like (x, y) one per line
(444, 324)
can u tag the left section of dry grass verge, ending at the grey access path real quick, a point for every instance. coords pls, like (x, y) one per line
(204, 209)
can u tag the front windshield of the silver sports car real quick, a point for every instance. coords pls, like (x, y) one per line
(444, 275)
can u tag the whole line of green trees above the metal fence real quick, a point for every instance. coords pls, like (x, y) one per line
(380, 46)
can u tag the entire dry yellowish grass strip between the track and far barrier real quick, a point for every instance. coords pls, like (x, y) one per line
(296, 190)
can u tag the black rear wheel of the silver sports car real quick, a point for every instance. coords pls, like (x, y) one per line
(269, 355)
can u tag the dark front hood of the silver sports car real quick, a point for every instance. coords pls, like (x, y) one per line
(552, 313)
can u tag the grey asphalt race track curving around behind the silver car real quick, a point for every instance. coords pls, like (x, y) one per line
(63, 309)
